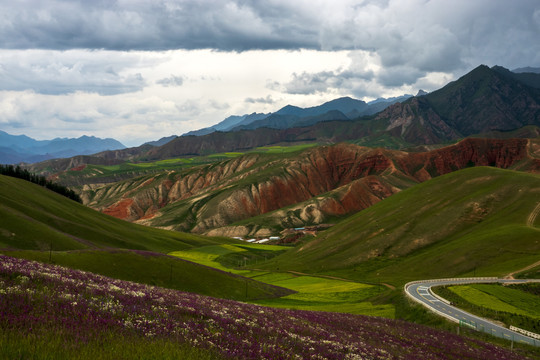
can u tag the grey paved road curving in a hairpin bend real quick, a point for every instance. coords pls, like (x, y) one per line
(421, 292)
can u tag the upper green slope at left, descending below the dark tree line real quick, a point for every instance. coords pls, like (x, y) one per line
(33, 218)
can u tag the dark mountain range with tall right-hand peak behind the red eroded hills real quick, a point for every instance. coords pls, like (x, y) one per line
(487, 102)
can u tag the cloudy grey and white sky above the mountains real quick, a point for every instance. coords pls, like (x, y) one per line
(138, 70)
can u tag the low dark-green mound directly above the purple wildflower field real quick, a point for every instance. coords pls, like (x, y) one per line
(159, 270)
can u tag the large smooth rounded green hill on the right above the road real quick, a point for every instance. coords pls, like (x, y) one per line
(470, 222)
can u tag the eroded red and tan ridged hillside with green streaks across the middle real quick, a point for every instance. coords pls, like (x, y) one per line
(276, 192)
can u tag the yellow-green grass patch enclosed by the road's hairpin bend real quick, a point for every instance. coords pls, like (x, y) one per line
(500, 298)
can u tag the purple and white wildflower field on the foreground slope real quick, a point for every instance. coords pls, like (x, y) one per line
(43, 307)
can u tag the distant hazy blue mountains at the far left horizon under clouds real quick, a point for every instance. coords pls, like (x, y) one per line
(21, 148)
